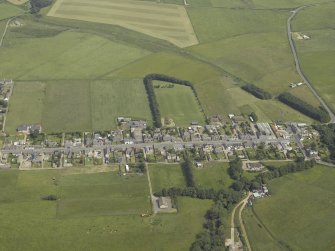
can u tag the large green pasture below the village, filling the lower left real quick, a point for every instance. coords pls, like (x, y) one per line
(89, 224)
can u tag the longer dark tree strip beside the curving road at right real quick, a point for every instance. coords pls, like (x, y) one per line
(316, 113)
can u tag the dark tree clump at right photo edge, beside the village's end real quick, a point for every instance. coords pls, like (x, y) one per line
(327, 137)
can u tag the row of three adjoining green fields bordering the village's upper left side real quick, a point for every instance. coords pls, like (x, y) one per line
(76, 105)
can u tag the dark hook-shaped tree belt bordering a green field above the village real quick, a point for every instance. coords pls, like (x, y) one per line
(154, 107)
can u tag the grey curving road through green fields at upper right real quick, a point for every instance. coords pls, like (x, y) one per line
(297, 64)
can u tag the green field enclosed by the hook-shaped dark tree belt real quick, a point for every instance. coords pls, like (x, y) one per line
(179, 104)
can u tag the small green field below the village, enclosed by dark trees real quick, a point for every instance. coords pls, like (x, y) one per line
(213, 175)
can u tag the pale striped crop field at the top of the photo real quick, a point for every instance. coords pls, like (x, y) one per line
(164, 21)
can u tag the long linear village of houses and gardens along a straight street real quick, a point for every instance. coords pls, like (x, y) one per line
(134, 141)
